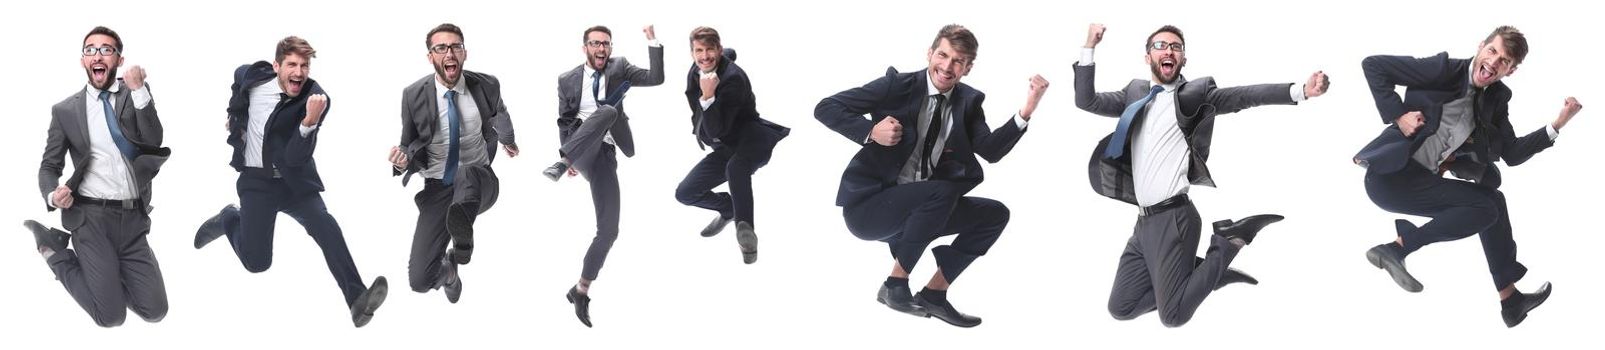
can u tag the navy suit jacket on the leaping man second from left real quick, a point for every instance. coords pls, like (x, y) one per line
(283, 147)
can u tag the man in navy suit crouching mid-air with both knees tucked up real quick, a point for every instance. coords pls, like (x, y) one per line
(917, 160)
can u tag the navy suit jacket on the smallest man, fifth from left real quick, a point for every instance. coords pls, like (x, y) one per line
(733, 118)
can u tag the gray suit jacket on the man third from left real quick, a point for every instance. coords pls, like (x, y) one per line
(421, 120)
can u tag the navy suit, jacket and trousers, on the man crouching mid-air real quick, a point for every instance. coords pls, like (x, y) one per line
(911, 216)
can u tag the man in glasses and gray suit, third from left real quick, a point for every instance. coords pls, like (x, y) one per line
(450, 126)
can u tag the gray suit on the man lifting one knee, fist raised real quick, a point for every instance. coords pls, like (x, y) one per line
(583, 144)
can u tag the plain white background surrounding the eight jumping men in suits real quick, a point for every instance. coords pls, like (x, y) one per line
(1044, 285)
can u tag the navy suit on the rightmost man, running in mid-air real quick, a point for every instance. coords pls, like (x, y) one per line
(1458, 210)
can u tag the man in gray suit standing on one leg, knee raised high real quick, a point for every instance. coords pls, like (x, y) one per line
(591, 124)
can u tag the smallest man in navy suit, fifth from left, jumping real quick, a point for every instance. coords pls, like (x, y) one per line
(725, 118)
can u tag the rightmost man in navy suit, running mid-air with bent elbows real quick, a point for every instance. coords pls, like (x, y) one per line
(1455, 118)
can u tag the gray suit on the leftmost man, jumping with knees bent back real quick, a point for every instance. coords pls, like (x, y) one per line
(113, 267)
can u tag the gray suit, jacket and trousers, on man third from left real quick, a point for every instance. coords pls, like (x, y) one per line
(474, 189)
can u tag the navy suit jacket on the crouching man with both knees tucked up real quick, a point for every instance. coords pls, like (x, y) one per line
(903, 97)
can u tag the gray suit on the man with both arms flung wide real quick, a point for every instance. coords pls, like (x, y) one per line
(1158, 267)
